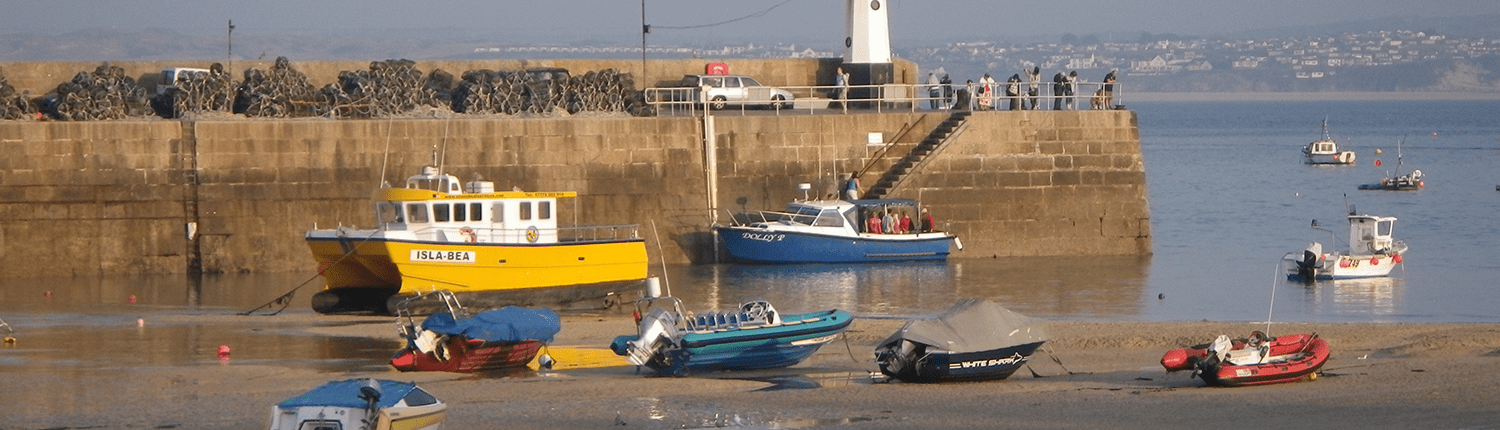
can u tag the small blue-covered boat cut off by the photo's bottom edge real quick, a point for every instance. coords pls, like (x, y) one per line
(361, 404)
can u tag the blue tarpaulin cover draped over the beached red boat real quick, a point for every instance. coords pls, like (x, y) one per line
(508, 324)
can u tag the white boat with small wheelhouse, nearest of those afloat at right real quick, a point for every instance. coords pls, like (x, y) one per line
(1372, 252)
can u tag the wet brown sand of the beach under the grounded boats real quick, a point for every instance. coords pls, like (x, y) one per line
(1093, 375)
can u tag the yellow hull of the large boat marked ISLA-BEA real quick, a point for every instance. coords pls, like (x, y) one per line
(365, 273)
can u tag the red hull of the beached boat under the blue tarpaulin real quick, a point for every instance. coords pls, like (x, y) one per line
(466, 356)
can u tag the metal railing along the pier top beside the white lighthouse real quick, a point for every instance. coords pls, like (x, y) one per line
(898, 98)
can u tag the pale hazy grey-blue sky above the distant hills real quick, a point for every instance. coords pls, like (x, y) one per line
(619, 23)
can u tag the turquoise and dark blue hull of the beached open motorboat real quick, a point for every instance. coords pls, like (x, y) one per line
(748, 348)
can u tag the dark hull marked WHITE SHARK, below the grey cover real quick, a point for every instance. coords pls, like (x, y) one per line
(962, 366)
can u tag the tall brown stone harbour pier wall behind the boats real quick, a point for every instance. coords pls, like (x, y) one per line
(119, 197)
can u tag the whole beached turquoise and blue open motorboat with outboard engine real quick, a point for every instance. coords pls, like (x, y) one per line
(755, 336)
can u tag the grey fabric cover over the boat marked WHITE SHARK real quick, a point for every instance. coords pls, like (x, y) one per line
(973, 326)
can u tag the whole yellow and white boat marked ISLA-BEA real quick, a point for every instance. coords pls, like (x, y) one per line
(491, 248)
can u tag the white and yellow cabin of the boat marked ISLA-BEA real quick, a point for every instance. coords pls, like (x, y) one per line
(434, 208)
